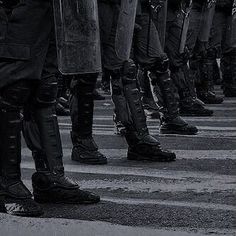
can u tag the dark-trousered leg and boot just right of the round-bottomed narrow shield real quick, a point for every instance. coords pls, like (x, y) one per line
(149, 55)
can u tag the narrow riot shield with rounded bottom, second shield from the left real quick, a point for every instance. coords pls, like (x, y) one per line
(125, 28)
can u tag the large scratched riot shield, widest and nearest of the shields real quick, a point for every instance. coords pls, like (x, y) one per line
(77, 36)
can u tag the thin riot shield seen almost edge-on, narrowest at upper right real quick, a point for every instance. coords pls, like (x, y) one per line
(185, 10)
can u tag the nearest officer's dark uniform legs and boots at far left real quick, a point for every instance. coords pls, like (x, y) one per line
(28, 78)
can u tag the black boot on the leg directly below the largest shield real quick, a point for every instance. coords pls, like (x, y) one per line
(86, 151)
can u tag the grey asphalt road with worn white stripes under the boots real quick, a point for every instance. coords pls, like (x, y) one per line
(193, 196)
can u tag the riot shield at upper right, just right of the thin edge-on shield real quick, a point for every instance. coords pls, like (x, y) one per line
(207, 19)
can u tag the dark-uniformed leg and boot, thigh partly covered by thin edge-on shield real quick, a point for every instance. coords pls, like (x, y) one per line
(179, 60)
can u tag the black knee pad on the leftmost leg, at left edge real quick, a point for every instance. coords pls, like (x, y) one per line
(16, 95)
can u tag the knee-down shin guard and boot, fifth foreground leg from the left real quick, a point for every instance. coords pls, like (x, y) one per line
(171, 122)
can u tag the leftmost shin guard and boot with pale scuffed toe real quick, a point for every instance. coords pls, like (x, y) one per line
(16, 198)
